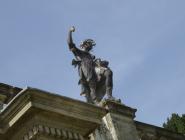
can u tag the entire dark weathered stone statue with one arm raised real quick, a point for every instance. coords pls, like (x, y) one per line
(95, 75)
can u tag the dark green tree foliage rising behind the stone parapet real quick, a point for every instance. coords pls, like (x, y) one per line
(175, 123)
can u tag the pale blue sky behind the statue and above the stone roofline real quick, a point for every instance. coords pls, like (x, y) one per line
(143, 40)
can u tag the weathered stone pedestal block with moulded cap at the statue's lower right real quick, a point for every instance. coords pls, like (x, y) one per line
(118, 124)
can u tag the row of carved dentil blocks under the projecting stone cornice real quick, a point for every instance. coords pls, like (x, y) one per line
(43, 130)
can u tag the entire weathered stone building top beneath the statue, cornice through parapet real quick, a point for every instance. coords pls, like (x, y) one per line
(34, 114)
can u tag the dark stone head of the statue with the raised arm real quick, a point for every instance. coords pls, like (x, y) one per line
(87, 44)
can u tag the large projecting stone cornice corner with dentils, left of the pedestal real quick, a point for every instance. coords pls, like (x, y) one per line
(36, 114)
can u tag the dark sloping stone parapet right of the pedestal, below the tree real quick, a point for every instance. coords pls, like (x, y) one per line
(150, 132)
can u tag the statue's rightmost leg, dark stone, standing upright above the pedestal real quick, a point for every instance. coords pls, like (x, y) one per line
(109, 83)
